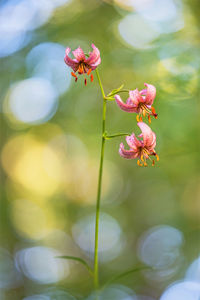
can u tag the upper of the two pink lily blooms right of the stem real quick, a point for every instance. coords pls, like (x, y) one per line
(139, 102)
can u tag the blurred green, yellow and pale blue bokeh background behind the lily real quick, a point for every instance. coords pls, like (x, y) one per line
(50, 146)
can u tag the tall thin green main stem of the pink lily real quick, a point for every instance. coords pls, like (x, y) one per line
(96, 262)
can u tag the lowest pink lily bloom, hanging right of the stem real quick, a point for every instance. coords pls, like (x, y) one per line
(142, 148)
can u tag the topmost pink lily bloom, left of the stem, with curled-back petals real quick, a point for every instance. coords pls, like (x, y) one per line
(81, 63)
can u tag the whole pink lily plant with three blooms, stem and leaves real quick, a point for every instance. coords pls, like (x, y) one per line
(141, 148)
